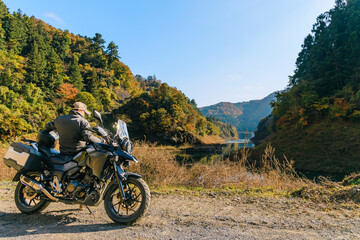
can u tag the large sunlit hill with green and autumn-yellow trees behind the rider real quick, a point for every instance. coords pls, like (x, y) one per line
(44, 70)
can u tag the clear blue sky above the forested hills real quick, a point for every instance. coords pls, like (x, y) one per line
(212, 50)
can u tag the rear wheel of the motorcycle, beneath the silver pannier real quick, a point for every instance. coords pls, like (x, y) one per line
(28, 201)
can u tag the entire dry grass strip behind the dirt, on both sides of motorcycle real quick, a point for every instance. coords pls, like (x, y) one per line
(159, 167)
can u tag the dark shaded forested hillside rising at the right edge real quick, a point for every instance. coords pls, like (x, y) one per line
(317, 118)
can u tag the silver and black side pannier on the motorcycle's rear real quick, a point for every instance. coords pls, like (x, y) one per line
(21, 156)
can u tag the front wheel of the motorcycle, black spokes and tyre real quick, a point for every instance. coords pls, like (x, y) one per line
(135, 206)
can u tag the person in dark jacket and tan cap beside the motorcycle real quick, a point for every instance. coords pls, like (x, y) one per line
(73, 130)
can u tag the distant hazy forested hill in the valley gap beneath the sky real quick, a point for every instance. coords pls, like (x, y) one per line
(243, 115)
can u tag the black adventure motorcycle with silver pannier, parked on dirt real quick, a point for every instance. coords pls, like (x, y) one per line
(96, 173)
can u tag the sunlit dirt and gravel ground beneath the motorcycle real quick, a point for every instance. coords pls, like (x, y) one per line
(177, 216)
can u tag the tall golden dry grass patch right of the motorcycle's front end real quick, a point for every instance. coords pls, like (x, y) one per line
(159, 167)
